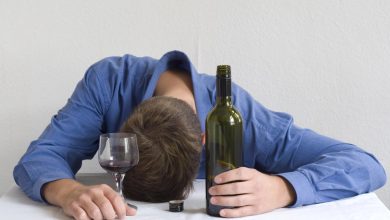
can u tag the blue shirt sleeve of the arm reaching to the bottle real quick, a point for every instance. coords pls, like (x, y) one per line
(319, 168)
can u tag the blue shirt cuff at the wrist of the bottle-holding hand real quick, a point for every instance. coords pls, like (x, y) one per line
(303, 188)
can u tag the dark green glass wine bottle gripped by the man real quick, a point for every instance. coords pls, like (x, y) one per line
(224, 132)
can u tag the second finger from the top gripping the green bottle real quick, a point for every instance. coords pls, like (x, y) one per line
(232, 188)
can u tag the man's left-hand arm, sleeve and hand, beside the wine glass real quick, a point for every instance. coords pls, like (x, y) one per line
(46, 171)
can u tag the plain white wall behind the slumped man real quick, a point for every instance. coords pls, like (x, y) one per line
(325, 62)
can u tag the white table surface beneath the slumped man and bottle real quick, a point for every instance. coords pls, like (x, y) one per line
(14, 204)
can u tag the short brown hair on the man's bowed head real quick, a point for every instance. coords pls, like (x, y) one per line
(169, 141)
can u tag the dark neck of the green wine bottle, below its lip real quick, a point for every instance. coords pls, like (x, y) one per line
(224, 91)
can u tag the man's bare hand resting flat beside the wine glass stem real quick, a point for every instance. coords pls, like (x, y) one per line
(86, 202)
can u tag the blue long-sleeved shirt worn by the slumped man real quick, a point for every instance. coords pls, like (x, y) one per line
(319, 168)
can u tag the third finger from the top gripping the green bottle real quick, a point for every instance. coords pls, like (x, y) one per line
(234, 201)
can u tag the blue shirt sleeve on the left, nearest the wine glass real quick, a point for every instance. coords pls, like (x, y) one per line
(71, 137)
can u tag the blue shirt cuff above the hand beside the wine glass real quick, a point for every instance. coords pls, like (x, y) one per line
(48, 177)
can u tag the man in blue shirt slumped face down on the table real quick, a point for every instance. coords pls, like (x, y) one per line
(284, 165)
